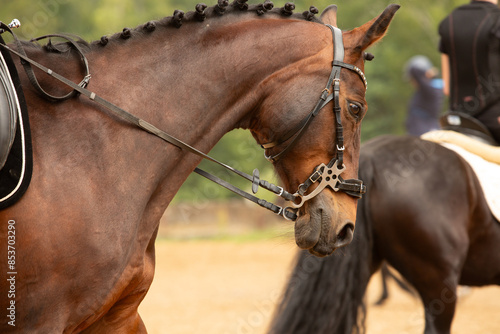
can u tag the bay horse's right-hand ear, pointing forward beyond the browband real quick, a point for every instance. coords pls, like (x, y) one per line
(376, 28)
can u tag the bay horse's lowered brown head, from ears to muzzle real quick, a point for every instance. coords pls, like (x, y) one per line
(327, 220)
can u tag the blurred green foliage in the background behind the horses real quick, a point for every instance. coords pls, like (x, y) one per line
(413, 31)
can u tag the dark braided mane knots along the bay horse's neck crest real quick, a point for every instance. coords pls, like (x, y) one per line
(201, 13)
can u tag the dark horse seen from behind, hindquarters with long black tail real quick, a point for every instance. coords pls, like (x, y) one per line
(425, 214)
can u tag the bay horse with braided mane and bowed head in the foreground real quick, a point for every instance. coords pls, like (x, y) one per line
(85, 228)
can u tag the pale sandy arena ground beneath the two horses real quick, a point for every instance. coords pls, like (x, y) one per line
(230, 287)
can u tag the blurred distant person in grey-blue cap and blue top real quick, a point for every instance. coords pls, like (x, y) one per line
(426, 103)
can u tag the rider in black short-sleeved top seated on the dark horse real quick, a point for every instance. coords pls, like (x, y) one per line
(470, 60)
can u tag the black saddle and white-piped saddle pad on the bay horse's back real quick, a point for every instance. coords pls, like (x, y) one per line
(16, 162)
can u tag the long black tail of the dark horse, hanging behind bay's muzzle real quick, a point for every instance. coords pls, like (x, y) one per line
(325, 295)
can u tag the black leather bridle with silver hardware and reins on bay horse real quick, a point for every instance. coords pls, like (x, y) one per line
(327, 175)
